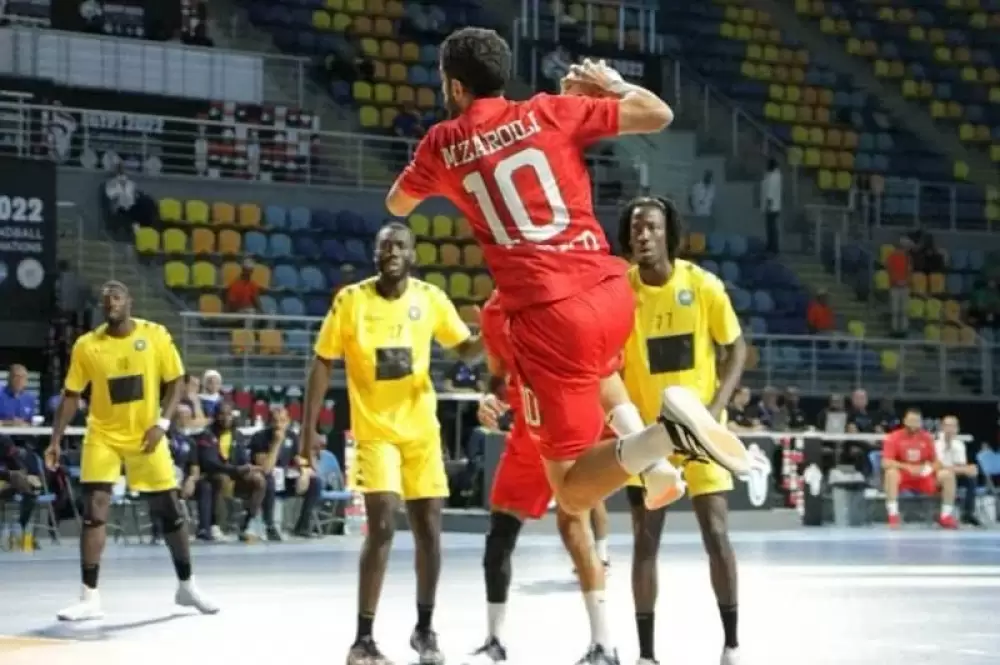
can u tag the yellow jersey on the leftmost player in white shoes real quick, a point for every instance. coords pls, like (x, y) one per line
(124, 375)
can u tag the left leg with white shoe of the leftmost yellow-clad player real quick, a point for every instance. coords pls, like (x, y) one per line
(96, 510)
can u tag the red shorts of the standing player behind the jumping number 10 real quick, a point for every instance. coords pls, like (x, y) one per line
(520, 486)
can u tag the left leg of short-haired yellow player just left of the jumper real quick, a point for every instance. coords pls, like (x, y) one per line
(380, 508)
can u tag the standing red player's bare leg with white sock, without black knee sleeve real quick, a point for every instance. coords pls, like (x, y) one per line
(575, 533)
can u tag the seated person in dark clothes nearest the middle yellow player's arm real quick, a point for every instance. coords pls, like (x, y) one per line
(274, 449)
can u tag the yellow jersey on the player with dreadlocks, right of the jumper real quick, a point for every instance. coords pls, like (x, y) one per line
(677, 327)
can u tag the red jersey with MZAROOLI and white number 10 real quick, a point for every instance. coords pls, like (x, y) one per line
(516, 171)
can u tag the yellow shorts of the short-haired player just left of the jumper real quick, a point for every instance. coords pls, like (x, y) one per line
(411, 469)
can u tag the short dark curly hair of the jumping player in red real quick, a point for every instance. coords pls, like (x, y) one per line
(479, 59)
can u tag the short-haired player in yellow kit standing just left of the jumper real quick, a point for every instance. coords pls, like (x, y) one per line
(383, 329)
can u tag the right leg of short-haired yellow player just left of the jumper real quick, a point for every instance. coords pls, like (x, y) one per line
(425, 524)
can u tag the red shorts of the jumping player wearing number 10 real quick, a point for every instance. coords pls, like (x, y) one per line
(563, 350)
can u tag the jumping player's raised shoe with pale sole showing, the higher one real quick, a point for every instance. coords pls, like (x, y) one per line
(697, 435)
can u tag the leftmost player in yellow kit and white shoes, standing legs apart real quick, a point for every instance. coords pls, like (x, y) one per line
(124, 362)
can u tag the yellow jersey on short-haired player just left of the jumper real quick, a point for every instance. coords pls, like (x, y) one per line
(386, 348)
